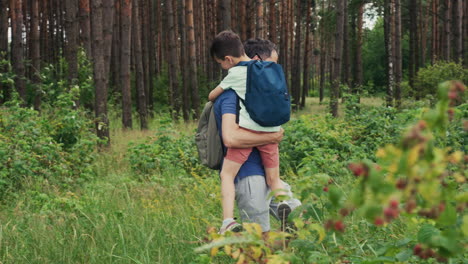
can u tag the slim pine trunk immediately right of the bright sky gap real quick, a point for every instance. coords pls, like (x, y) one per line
(388, 17)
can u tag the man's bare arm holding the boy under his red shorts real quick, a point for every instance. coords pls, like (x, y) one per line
(237, 137)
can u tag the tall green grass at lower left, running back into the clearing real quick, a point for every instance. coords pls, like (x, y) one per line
(116, 218)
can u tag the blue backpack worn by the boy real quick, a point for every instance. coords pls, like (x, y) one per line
(266, 99)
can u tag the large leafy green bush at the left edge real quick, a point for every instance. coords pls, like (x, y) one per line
(56, 146)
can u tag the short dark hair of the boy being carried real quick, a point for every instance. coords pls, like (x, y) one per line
(226, 43)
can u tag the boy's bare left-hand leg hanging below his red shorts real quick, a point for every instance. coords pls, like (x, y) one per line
(228, 173)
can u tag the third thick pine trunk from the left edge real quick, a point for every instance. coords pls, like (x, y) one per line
(35, 53)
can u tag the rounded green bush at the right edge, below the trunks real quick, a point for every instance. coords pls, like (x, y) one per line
(428, 78)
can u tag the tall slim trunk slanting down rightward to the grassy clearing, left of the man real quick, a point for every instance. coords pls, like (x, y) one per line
(138, 64)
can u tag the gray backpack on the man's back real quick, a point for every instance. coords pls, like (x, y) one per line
(210, 150)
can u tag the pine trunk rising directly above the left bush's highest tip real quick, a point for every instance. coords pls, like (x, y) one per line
(71, 49)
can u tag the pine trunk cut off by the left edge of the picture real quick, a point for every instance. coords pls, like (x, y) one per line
(4, 88)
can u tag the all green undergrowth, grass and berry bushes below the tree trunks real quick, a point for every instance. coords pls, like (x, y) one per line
(373, 190)
